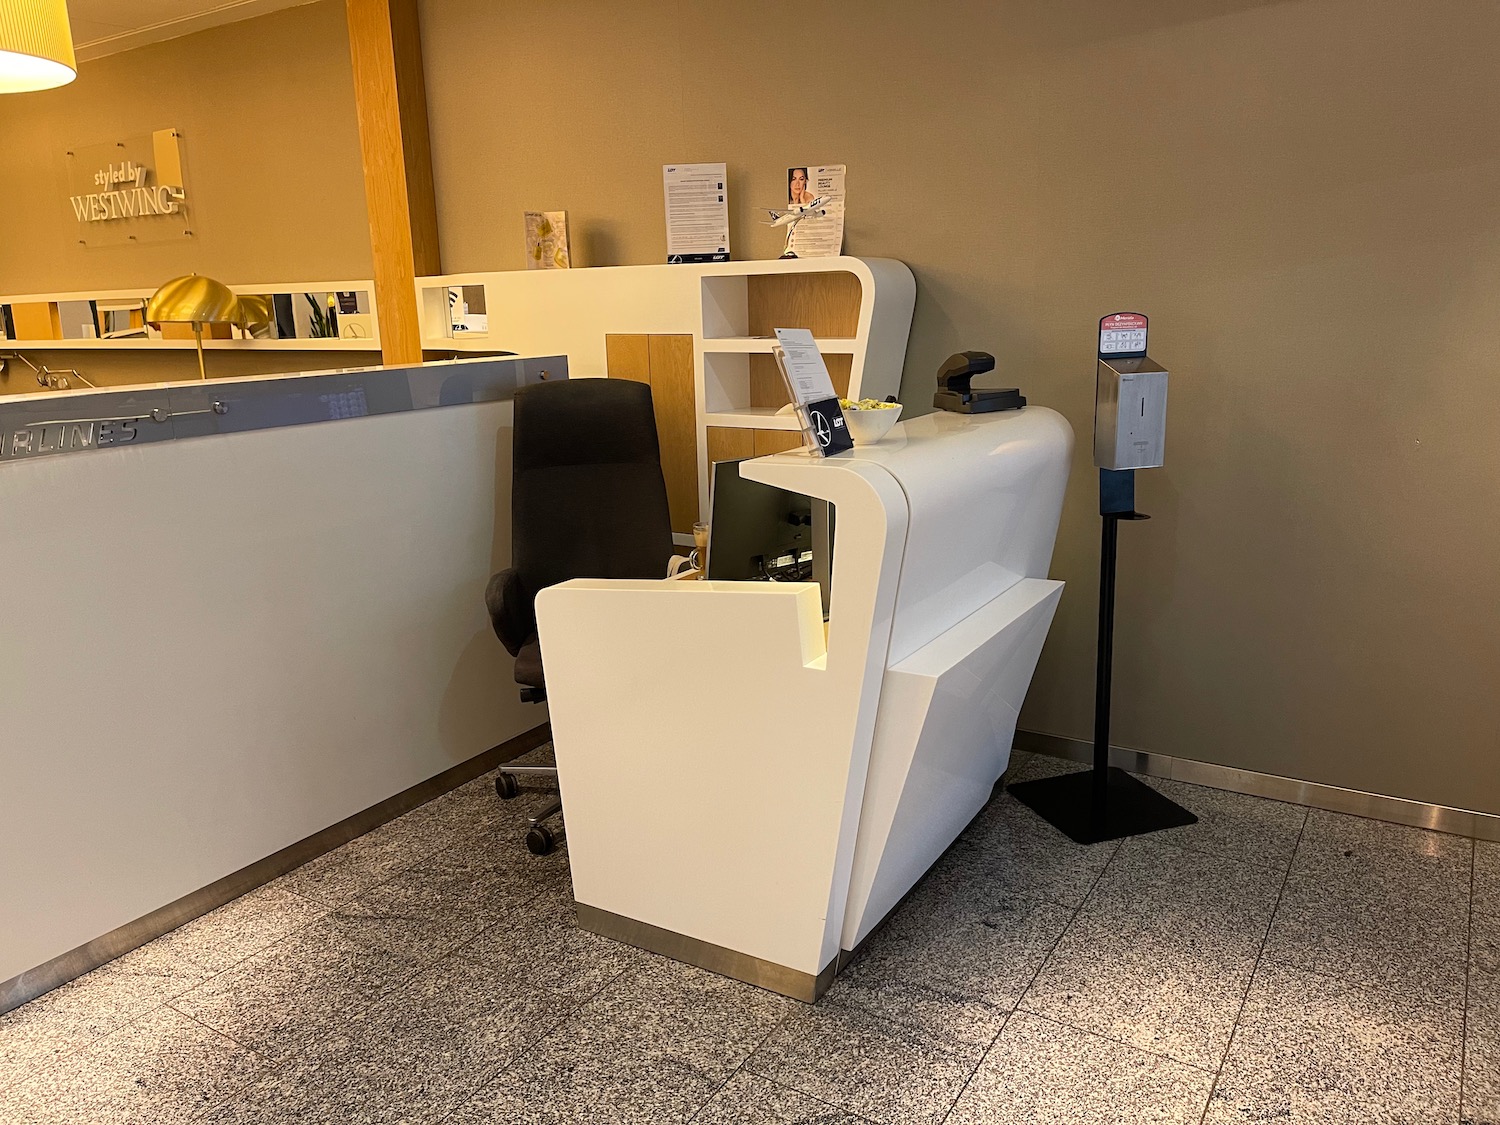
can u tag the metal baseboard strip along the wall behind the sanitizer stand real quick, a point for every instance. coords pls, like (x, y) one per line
(1313, 794)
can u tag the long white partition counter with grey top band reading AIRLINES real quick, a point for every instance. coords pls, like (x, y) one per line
(236, 614)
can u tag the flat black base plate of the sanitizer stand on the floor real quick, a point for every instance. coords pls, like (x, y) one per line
(1069, 803)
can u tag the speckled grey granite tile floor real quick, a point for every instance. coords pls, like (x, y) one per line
(1265, 965)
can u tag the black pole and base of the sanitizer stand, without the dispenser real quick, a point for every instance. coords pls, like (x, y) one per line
(1105, 803)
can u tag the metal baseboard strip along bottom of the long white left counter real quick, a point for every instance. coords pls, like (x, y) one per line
(74, 964)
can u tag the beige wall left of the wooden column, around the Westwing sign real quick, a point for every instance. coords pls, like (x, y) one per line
(266, 109)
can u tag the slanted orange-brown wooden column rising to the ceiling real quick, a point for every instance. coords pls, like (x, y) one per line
(392, 104)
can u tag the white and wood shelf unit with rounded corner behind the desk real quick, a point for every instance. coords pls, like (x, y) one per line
(860, 310)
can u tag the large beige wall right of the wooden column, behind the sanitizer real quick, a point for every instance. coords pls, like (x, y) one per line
(1306, 197)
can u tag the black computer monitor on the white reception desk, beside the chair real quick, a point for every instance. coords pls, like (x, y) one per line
(758, 533)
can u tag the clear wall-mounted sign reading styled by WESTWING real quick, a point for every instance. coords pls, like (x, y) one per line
(130, 191)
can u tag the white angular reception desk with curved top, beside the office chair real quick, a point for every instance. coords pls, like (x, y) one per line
(752, 793)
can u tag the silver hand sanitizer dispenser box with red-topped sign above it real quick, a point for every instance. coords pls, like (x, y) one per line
(1130, 398)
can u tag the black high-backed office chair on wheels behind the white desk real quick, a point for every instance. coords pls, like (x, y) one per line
(589, 500)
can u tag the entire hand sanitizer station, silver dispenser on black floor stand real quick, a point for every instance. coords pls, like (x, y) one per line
(1106, 803)
